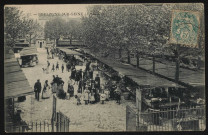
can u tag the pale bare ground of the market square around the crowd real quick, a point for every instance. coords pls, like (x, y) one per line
(93, 117)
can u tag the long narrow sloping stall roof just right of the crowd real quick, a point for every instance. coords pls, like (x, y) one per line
(137, 75)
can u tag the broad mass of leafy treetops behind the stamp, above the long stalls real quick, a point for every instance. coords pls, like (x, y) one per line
(145, 28)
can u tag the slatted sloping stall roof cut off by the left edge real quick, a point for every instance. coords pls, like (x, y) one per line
(16, 84)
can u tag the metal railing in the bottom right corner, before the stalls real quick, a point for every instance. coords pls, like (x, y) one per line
(183, 119)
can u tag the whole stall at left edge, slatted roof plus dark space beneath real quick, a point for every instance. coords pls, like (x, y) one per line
(16, 85)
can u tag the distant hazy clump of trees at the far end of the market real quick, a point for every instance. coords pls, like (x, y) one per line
(58, 27)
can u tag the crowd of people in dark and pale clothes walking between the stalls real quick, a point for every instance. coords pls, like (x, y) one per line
(90, 89)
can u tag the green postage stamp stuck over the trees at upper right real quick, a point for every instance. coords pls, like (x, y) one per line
(185, 28)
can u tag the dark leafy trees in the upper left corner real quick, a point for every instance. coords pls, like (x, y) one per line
(17, 25)
